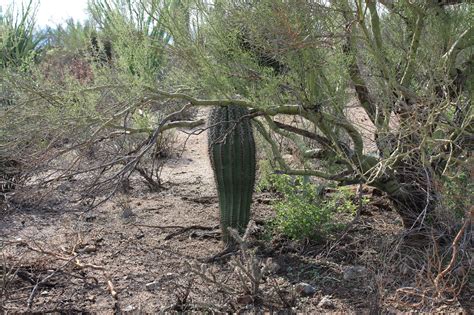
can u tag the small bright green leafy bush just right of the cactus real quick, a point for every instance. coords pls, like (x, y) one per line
(304, 213)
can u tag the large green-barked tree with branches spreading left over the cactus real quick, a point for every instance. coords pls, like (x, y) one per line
(384, 88)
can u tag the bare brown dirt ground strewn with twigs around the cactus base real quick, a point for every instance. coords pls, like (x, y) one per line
(124, 257)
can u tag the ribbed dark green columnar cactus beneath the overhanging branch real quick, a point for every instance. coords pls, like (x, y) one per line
(232, 154)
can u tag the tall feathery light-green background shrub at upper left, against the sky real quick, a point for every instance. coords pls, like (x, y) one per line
(137, 35)
